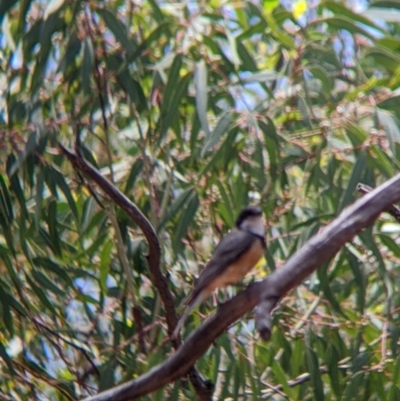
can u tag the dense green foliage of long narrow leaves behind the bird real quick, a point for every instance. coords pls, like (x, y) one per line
(194, 110)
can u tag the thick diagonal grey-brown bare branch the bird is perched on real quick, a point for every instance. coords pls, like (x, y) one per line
(317, 251)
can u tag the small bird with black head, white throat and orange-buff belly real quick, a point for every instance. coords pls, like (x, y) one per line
(237, 253)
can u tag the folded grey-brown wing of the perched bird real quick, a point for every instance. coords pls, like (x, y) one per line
(231, 247)
